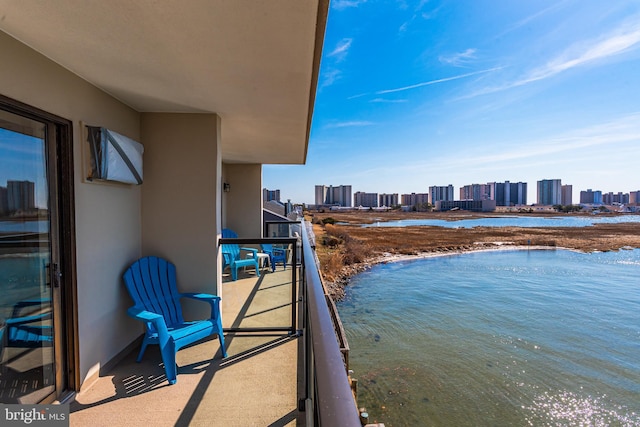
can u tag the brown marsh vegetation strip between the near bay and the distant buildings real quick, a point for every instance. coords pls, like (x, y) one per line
(348, 248)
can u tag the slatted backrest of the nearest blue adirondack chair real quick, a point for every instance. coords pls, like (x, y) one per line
(151, 282)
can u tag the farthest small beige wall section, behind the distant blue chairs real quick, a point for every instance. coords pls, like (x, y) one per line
(242, 205)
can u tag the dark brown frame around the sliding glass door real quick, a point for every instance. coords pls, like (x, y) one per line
(60, 133)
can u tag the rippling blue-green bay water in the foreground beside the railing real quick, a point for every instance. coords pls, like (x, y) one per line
(503, 338)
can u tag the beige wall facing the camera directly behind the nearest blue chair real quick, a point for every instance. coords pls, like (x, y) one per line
(180, 198)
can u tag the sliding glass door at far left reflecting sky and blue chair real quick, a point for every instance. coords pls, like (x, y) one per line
(32, 344)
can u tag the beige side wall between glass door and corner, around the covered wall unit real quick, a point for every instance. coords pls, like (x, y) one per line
(108, 221)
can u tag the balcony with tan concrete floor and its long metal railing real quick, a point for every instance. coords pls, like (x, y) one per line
(284, 365)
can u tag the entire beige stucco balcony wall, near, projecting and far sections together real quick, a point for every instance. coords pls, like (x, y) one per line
(175, 213)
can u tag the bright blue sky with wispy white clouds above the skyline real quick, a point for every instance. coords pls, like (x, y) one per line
(416, 94)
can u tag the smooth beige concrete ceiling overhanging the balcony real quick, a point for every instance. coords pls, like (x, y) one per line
(255, 63)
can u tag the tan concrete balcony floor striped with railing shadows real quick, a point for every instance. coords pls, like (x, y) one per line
(256, 385)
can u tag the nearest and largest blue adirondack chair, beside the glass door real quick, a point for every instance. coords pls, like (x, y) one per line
(151, 282)
